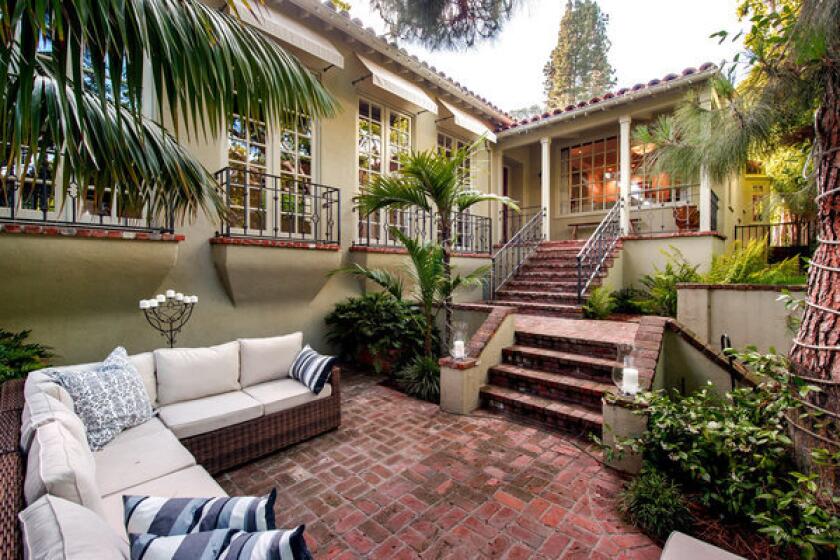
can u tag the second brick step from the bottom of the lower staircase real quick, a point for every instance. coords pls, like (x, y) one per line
(553, 386)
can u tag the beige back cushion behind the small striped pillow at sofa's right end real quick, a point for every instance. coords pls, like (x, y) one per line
(266, 359)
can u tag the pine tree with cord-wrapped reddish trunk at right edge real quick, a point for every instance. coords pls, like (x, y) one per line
(793, 56)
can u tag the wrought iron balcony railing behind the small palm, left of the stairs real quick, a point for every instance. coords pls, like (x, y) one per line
(470, 233)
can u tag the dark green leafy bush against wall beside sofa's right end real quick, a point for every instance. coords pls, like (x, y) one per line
(376, 323)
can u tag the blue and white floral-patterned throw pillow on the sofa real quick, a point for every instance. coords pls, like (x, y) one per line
(109, 397)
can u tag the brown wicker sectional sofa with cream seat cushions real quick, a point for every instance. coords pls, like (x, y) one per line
(171, 454)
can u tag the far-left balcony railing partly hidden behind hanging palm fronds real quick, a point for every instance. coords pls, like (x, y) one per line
(36, 201)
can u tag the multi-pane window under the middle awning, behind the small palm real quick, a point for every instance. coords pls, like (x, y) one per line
(384, 135)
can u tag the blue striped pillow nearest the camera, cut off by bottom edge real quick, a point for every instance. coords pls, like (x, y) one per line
(222, 544)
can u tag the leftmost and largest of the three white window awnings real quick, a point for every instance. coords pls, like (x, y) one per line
(289, 31)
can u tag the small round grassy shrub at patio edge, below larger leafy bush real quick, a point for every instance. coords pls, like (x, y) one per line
(654, 503)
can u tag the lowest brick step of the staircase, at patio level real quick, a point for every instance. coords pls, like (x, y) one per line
(566, 417)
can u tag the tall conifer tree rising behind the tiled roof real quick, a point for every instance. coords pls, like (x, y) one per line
(578, 68)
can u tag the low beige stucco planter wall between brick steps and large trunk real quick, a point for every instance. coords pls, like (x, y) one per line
(750, 315)
